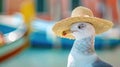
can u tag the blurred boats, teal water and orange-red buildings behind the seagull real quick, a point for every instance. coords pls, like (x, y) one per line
(26, 38)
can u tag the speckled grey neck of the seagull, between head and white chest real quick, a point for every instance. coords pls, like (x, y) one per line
(84, 46)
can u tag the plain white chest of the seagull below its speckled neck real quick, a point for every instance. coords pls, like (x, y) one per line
(80, 60)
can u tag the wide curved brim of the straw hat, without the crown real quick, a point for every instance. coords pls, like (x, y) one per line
(100, 25)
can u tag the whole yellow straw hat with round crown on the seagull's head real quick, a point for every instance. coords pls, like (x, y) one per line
(80, 14)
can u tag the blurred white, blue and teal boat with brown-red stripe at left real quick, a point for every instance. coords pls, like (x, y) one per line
(12, 29)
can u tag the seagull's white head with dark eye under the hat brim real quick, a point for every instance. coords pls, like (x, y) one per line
(82, 30)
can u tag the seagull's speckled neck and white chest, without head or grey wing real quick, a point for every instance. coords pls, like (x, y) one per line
(82, 53)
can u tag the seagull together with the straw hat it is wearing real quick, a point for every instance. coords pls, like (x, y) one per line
(82, 26)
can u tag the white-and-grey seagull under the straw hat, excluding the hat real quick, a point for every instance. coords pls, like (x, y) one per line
(83, 53)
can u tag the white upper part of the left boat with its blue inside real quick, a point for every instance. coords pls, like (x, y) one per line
(12, 27)
